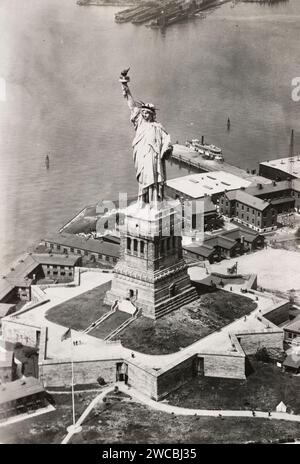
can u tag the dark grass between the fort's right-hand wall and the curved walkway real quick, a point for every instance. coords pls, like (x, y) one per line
(262, 390)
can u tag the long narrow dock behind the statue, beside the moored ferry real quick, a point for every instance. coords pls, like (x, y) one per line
(190, 159)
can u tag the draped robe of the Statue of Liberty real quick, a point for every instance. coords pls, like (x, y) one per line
(149, 146)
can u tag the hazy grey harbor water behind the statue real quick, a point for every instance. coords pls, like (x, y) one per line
(61, 64)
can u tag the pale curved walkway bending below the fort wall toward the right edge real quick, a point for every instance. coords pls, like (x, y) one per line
(167, 408)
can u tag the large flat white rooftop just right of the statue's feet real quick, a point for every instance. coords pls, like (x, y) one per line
(199, 185)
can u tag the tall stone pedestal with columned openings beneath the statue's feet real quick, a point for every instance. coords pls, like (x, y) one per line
(151, 271)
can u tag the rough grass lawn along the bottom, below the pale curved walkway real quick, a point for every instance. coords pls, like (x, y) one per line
(134, 423)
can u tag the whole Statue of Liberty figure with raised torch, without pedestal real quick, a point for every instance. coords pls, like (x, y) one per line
(151, 146)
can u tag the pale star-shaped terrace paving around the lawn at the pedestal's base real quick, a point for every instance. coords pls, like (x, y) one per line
(91, 347)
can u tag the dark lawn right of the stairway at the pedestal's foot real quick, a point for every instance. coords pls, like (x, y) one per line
(186, 325)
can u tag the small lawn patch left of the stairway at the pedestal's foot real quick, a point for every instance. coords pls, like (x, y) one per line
(79, 312)
